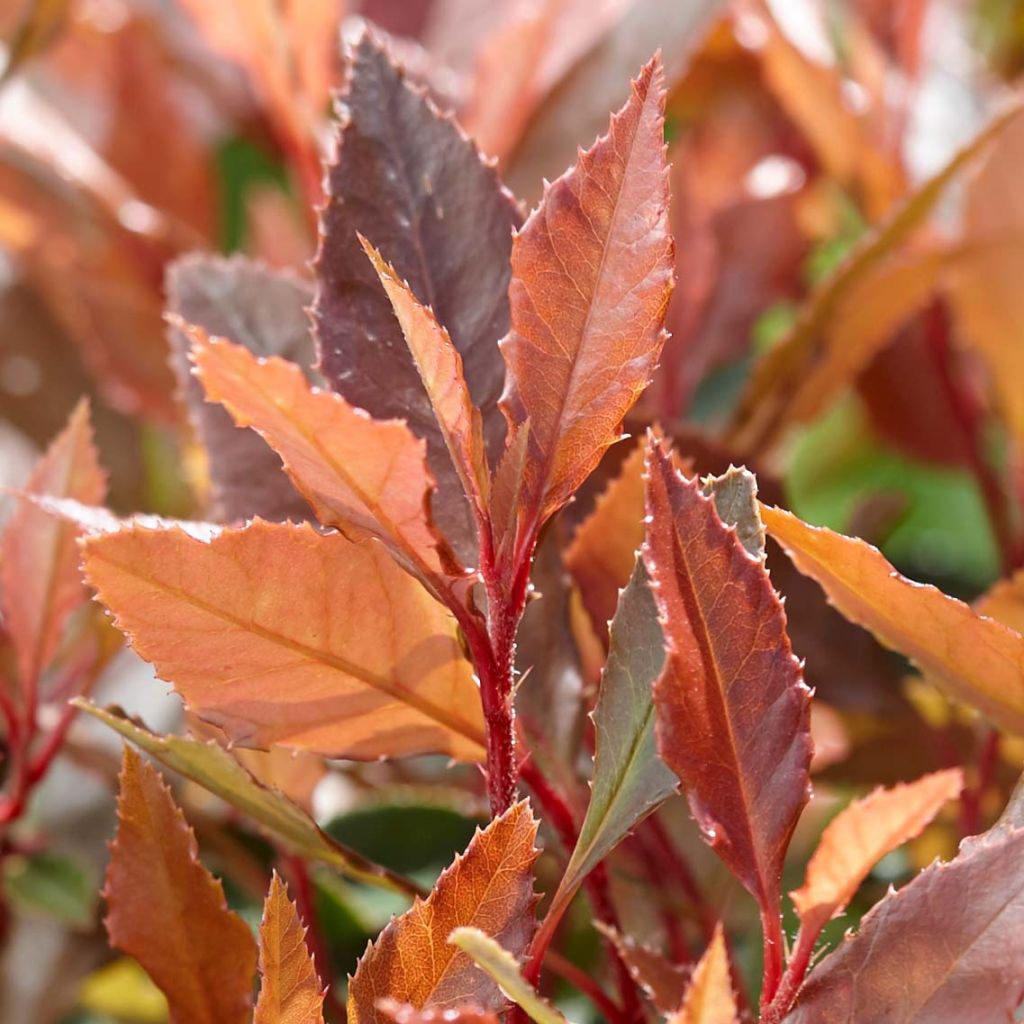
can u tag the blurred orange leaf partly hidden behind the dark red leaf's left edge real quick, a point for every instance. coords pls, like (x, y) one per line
(604, 551)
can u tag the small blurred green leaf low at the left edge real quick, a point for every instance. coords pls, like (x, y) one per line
(56, 885)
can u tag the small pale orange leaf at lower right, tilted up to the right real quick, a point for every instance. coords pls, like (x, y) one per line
(862, 835)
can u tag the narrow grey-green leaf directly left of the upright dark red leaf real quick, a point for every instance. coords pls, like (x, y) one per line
(630, 780)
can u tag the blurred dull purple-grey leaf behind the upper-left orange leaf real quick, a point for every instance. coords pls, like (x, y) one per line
(266, 312)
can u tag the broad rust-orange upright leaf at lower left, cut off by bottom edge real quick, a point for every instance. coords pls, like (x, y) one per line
(169, 913)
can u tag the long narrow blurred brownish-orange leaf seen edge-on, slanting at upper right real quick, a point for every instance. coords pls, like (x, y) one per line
(764, 405)
